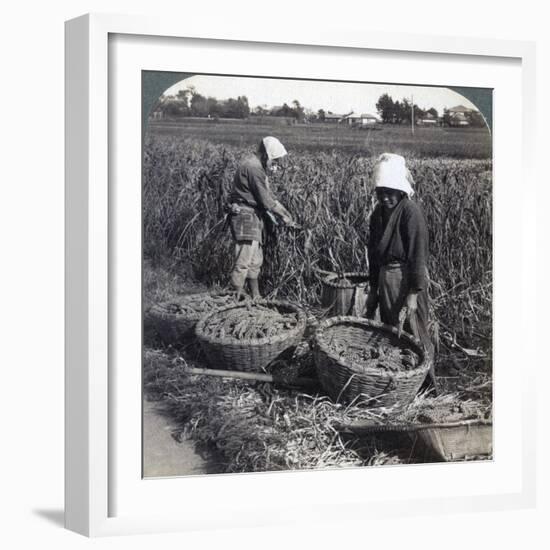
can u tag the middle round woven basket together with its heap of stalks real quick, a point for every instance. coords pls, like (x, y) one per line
(248, 336)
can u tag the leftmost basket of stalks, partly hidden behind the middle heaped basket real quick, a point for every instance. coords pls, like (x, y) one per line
(167, 321)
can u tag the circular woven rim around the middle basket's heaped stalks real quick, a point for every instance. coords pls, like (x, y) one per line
(276, 338)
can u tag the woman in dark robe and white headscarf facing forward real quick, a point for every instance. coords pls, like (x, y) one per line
(398, 251)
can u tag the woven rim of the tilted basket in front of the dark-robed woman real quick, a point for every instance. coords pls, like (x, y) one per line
(323, 346)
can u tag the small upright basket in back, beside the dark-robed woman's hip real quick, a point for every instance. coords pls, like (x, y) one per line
(345, 295)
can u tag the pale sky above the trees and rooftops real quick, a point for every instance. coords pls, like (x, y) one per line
(337, 97)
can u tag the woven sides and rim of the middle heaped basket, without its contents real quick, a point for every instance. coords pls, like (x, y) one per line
(249, 355)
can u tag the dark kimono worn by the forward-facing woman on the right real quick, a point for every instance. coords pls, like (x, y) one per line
(398, 253)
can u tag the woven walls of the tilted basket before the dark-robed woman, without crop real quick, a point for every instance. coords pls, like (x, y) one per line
(346, 382)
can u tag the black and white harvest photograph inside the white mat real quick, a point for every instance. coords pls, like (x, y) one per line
(317, 274)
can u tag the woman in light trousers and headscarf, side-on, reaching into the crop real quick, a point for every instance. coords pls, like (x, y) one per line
(250, 201)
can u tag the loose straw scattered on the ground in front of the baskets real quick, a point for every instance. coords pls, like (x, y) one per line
(258, 427)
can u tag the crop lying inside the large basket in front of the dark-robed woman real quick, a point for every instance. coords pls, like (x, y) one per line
(378, 356)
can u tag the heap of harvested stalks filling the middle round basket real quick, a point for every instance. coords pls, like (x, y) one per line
(250, 322)
